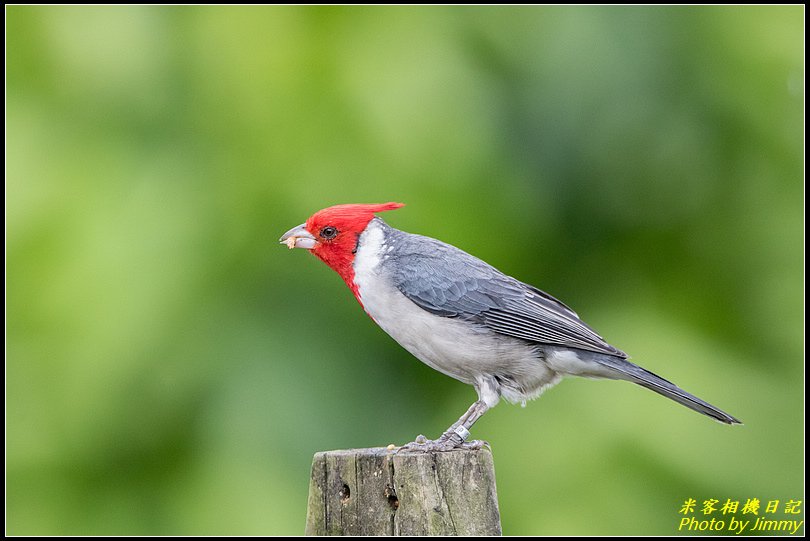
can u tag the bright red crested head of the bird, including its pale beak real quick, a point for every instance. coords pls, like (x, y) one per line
(331, 235)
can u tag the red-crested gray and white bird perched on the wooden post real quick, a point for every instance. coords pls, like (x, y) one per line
(465, 318)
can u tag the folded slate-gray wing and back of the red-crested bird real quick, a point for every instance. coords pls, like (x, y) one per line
(449, 282)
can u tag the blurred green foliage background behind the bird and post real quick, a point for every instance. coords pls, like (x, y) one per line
(171, 369)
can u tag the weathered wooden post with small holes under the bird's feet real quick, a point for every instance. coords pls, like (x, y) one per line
(380, 492)
